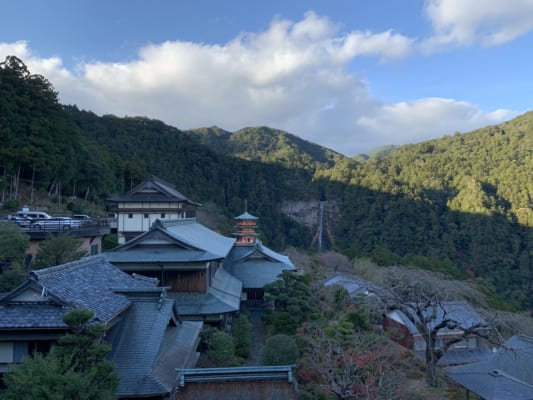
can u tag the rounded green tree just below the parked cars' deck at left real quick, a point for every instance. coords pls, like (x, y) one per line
(58, 249)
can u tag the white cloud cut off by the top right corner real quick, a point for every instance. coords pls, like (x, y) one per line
(488, 22)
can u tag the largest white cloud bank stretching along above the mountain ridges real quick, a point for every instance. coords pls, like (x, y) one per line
(293, 76)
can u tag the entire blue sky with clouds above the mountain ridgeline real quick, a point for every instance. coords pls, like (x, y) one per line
(349, 75)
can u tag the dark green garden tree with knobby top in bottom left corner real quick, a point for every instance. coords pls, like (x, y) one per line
(75, 368)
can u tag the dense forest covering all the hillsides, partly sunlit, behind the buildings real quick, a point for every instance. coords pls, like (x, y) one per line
(461, 204)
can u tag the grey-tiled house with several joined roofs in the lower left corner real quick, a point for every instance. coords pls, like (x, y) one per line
(148, 340)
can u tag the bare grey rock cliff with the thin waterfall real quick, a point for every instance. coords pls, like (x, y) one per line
(321, 216)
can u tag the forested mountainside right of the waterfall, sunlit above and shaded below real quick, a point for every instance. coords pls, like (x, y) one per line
(463, 200)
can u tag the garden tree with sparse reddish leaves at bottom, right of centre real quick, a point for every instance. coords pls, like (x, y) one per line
(347, 363)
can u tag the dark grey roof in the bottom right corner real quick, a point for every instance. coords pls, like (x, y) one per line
(506, 375)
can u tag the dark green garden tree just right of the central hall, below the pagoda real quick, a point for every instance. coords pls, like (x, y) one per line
(292, 300)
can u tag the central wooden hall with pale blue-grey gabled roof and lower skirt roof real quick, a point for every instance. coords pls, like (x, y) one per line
(189, 258)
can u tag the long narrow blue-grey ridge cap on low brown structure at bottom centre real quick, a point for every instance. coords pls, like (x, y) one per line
(264, 372)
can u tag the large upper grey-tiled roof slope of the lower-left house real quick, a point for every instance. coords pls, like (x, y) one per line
(90, 283)
